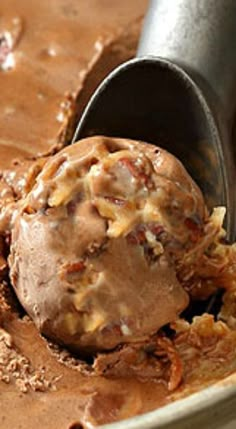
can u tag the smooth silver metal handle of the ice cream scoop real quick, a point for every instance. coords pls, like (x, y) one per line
(199, 36)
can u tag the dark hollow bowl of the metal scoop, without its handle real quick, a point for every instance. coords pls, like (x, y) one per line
(155, 101)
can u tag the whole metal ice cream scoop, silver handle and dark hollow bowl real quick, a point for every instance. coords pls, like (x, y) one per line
(179, 92)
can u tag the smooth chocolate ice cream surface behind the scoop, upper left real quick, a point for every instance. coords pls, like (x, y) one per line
(48, 51)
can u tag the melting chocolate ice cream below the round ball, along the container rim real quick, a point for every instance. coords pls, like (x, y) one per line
(68, 394)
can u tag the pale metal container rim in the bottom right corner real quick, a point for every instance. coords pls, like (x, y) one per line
(212, 408)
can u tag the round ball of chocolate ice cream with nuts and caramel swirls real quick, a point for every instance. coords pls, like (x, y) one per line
(96, 240)
